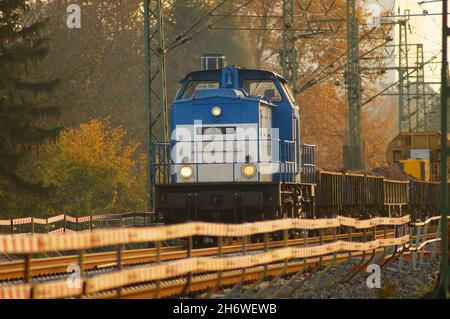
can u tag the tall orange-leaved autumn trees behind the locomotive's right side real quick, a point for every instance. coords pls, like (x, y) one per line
(319, 45)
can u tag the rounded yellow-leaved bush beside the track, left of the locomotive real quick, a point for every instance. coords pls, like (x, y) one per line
(91, 169)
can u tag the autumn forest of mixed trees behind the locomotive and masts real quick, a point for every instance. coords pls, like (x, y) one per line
(72, 102)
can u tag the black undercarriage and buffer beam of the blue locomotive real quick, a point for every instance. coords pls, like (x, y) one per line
(233, 202)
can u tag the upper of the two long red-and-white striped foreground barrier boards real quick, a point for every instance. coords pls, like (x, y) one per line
(77, 241)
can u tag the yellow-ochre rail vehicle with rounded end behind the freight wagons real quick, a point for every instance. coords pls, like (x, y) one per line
(410, 151)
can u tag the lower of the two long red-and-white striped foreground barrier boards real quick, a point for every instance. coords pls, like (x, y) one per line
(102, 282)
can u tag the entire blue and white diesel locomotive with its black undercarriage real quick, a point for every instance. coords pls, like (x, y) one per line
(234, 153)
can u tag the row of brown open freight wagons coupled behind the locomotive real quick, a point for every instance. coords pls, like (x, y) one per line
(366, 196)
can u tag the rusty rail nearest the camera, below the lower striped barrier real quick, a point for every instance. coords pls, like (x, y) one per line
(213, 282)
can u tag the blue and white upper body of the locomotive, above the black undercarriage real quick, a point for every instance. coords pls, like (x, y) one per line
(230, 120)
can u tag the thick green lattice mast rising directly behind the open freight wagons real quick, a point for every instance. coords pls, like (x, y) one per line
(354, 151)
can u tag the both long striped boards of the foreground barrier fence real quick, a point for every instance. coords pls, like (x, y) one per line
(172, 269)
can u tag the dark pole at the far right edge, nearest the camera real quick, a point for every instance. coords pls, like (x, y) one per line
(442, 288)
